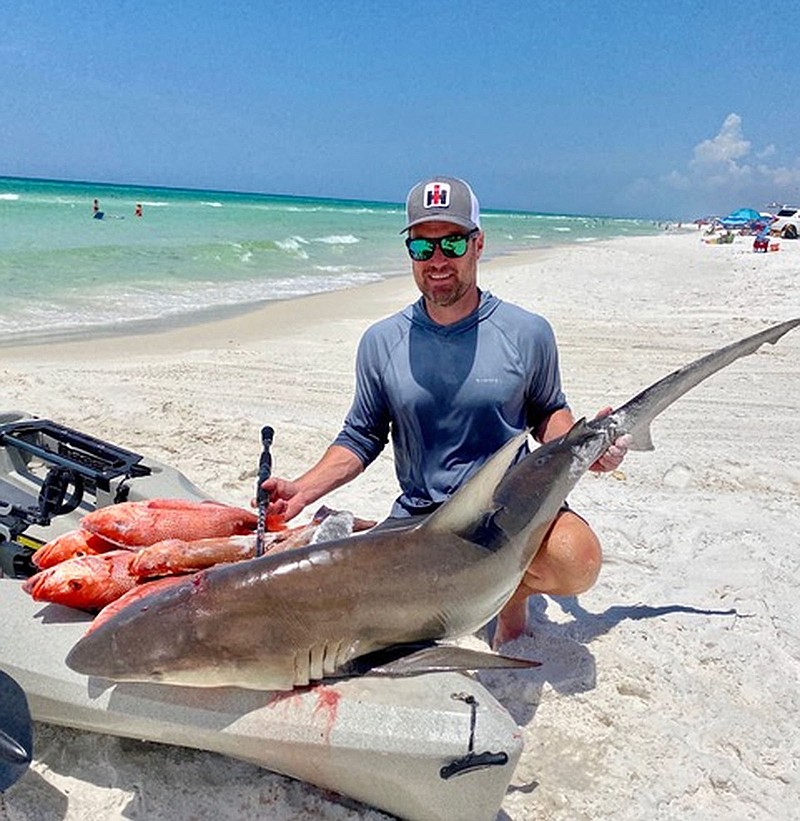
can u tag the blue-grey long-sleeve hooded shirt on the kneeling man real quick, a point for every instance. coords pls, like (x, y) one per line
(449, 395)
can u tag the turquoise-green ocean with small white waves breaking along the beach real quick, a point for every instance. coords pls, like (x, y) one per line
(195, 254)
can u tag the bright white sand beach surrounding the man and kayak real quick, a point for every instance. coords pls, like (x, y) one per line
(669, 690)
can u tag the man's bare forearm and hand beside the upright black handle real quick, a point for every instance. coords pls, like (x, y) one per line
(337, 467)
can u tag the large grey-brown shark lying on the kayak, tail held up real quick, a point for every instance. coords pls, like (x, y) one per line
(279, 622)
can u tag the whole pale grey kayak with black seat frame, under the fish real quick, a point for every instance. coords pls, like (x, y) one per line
(434, 746)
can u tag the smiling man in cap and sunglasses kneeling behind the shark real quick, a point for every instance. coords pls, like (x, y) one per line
(451, 378)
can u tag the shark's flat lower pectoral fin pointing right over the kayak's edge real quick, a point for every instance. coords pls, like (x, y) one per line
(419, 658)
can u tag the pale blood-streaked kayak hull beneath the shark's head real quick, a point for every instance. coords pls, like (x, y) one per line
(381, 741)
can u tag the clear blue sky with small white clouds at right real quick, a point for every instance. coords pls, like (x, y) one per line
(664, 110)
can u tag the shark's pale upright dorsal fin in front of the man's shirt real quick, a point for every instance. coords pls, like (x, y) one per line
(473, 499)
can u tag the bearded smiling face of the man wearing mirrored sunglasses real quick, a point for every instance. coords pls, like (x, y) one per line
(444, 281)
